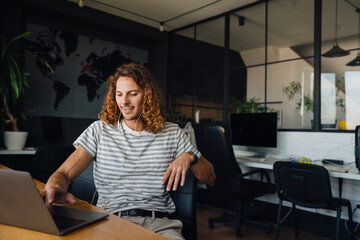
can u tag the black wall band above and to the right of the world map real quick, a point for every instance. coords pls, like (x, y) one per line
(68, 16)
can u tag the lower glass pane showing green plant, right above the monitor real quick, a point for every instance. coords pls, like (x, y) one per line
(291, 85)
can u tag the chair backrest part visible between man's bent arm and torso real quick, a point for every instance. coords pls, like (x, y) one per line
(83, 186)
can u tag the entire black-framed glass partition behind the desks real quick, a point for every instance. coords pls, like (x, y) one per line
(271, 62)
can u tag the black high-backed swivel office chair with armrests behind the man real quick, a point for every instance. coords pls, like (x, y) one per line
(214, 144)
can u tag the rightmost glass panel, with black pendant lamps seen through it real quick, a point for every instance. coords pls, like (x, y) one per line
(340, 98)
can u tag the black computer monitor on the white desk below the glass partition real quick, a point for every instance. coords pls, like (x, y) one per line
(254, 129)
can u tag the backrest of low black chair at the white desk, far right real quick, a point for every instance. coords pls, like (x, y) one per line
(307, 185)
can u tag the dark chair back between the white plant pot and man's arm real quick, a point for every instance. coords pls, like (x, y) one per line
(48, 160)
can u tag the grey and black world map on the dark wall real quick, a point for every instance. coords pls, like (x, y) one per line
(81, 66)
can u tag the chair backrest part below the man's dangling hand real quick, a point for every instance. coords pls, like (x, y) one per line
(185, 199)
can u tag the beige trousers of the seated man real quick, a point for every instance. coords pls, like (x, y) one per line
(169, 228)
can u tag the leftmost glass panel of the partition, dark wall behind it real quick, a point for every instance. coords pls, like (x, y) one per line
(196, 76)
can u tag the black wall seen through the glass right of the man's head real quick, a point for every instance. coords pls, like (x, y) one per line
(197, 68)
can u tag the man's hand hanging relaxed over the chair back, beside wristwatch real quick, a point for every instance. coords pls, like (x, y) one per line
(176, 170)
